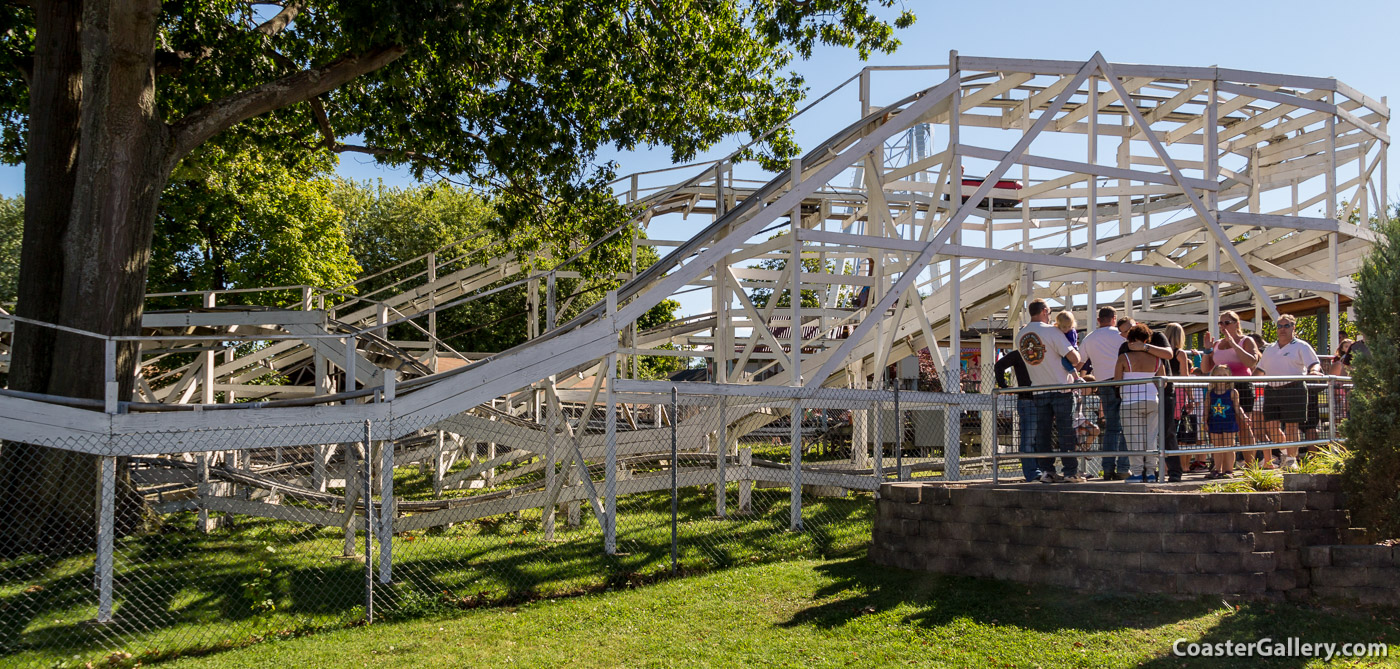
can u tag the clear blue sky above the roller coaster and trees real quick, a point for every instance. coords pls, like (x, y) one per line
(1349, 41)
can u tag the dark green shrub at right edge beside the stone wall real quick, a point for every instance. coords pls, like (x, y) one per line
(1373, 429)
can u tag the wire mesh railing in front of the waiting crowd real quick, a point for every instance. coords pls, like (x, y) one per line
(1157, 429)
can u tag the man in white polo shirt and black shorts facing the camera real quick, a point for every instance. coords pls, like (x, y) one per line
(1286, 405)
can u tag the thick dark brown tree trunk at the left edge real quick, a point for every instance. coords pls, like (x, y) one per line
(97, 163)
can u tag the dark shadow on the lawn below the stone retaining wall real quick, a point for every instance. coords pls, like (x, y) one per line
(860, 589)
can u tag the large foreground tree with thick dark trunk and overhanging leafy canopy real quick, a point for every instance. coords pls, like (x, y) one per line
(514, 97)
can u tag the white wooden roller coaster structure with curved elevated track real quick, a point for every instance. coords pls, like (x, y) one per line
(1126, 177)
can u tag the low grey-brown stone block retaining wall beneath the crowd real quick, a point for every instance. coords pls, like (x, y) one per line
(1291, 544)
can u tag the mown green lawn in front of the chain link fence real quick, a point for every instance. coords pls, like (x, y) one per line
(842, 612)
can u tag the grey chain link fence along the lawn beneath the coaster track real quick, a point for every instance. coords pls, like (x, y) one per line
(171, 542)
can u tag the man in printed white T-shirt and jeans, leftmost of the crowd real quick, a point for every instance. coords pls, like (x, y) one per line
(1042, 349)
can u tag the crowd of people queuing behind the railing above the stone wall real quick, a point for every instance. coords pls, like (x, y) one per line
(1129, 419)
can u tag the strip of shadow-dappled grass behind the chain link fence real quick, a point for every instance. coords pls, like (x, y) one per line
(180, 591)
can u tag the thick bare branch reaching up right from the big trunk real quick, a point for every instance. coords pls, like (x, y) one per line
(218, 117)
